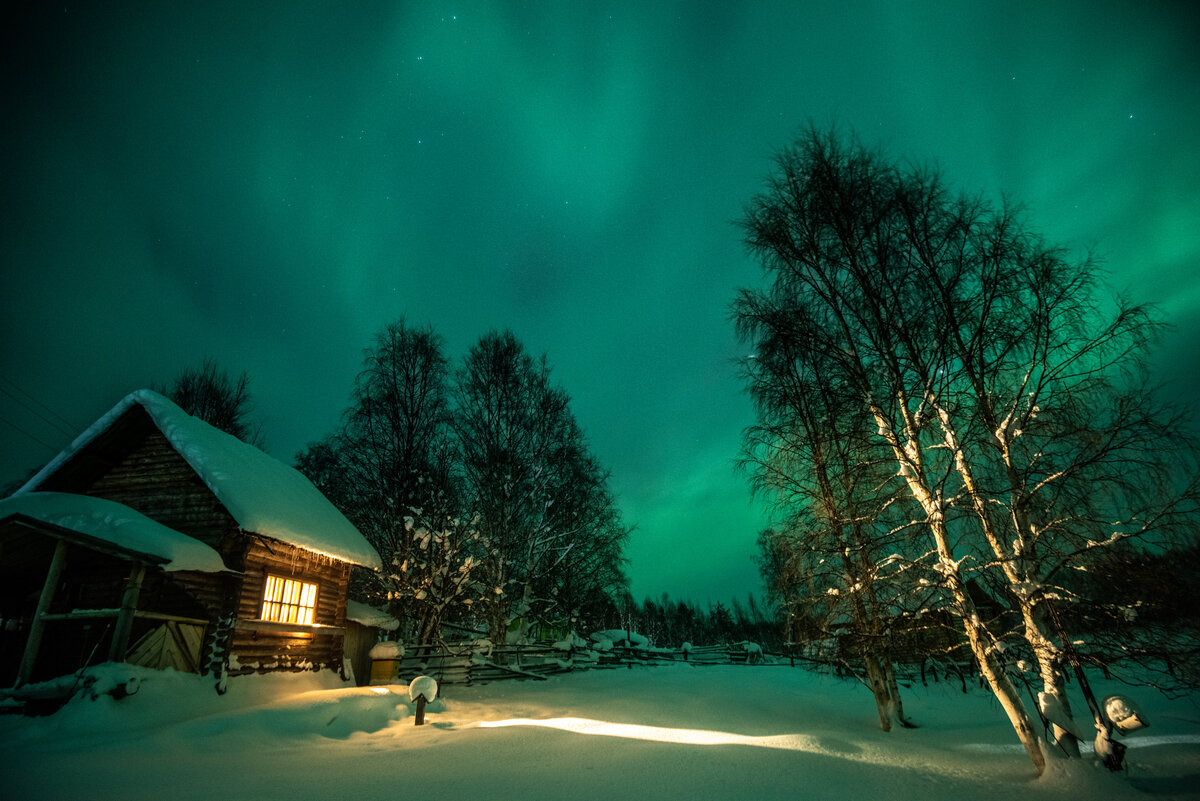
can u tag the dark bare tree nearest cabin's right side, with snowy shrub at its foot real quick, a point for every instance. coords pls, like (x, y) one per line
(389, 468)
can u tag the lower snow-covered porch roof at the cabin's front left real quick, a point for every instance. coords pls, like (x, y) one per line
(118, 525)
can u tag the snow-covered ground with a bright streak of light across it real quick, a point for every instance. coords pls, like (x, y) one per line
(669, 732)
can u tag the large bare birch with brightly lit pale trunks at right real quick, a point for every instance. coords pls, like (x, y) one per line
(1006, 395)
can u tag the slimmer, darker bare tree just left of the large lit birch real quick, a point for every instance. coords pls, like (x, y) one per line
(809, 455)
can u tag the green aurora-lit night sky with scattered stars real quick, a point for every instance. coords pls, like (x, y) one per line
(271, 184)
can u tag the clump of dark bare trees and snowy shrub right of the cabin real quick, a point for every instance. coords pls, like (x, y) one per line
(477, 486)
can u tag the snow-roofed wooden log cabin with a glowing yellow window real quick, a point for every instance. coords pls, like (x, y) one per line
(159, 540)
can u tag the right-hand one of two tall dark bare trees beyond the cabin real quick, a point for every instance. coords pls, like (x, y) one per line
(553, 532)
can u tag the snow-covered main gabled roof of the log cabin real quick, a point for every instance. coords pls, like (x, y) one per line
(263, 495)
